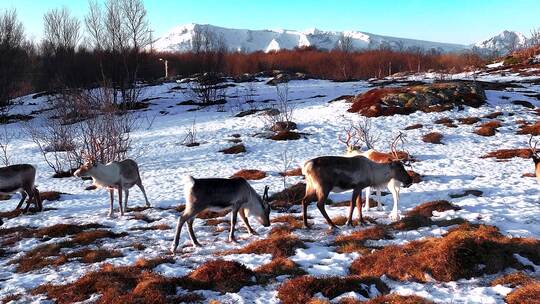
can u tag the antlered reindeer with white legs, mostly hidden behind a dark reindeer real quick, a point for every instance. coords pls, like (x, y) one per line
(359, 135)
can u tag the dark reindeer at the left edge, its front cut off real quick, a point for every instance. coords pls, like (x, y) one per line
(21, 178)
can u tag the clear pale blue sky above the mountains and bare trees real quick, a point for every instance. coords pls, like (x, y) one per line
(458, 21)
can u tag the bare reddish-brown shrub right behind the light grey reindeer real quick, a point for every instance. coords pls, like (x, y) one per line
(85, 125)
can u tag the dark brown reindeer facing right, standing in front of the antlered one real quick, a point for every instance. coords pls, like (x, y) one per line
(338, 173)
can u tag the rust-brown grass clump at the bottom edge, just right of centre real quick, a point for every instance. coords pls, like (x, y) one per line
(301, 289)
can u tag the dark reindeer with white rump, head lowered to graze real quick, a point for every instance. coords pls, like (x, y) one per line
(219, 194)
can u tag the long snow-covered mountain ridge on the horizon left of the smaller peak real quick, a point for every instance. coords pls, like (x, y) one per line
(183, 38)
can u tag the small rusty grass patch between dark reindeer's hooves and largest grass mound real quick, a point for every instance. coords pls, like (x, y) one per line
(355, 242)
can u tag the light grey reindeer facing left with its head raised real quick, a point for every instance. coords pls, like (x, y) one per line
(119, 175)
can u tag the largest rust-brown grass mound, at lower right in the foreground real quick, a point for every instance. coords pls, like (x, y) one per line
(458, 254)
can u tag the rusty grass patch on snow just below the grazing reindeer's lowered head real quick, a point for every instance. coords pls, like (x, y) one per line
(279, 245)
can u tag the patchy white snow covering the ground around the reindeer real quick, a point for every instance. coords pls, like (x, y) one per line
(510, 201)
